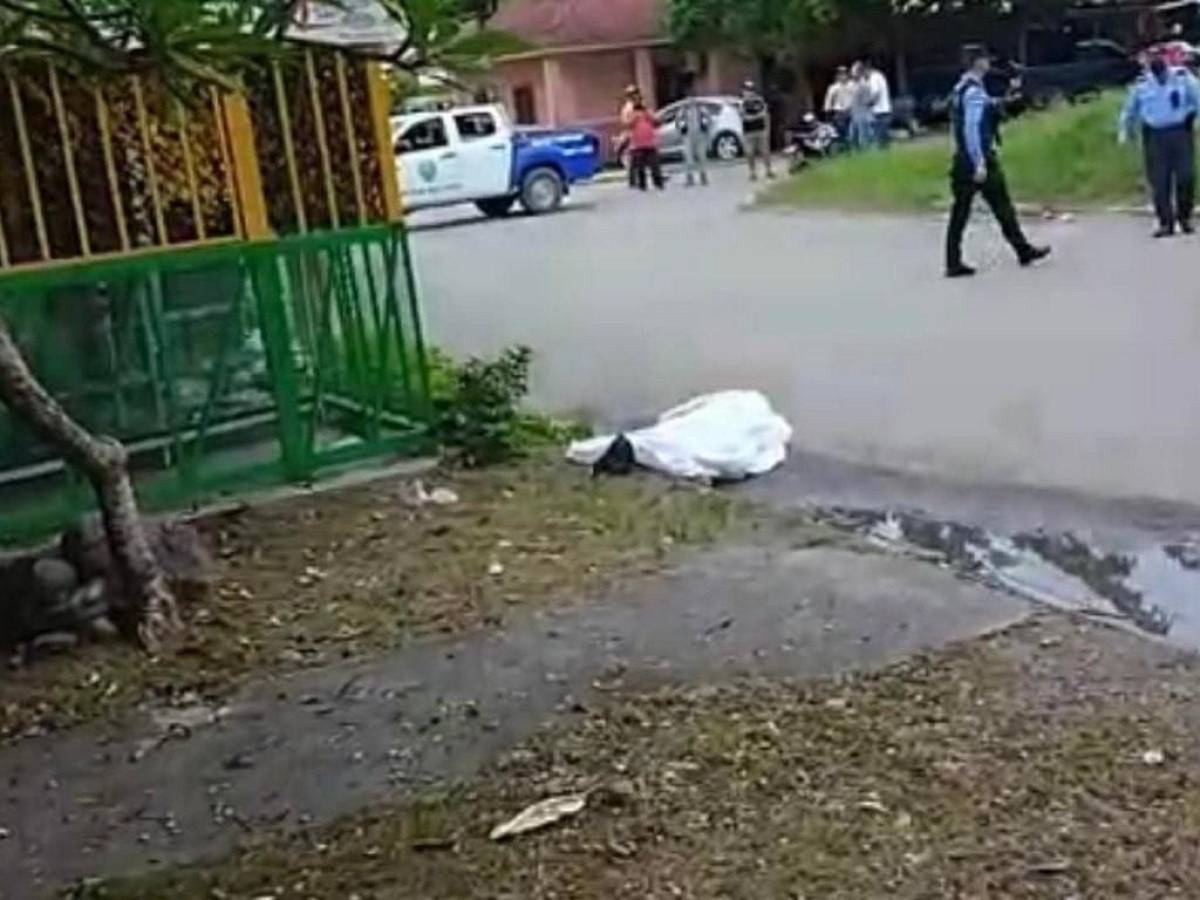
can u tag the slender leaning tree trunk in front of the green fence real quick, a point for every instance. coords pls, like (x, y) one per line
(153, 614)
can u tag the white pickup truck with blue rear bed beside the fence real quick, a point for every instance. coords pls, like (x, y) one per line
(475, 155)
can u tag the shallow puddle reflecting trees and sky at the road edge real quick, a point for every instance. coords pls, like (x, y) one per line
(1156, 590)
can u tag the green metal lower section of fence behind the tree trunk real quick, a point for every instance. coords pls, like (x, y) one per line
(221, 368)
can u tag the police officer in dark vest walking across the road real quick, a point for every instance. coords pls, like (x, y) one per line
(976, 169)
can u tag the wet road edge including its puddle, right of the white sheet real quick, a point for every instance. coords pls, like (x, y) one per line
(1135, 562)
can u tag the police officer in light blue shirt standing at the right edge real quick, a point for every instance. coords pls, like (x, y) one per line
(1165, 104)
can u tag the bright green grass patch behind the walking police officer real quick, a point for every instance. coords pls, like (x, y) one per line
(1064, 157)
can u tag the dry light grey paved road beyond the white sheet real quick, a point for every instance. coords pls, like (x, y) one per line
(1081, 375)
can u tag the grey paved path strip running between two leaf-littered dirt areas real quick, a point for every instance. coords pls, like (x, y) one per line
(305, 751)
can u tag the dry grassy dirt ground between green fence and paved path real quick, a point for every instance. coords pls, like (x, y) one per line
(356, 573)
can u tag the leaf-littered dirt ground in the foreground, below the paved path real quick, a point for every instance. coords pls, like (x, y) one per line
(1054, 760)
